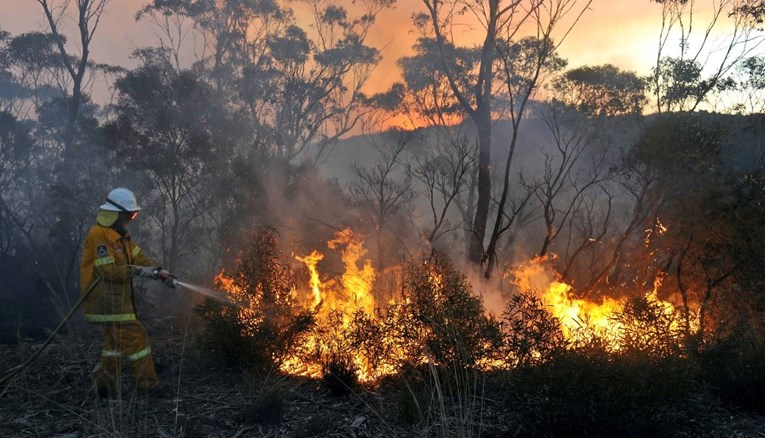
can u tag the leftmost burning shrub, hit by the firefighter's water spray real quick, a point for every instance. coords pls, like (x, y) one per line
(259, 331)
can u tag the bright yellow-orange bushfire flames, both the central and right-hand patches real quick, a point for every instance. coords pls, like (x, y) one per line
(337, 301)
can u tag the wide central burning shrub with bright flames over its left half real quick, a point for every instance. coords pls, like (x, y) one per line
(436, 319)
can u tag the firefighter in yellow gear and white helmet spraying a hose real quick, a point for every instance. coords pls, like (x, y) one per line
(110, 260)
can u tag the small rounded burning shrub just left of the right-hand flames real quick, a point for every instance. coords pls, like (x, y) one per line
(530, 333)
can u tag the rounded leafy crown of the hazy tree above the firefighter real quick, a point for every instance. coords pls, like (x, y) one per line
(164, 120)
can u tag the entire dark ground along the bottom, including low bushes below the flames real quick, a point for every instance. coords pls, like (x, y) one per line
(580, 393)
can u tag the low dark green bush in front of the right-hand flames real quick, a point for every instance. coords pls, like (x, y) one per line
(604, 394)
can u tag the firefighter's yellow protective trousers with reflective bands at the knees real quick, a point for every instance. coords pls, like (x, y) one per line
(128, 341)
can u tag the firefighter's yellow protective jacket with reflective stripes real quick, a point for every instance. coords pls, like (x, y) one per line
(105, 259)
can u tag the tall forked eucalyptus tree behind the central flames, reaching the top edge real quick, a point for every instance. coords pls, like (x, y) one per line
(507, 61)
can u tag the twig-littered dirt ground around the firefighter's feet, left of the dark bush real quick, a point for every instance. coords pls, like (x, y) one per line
(54, 398)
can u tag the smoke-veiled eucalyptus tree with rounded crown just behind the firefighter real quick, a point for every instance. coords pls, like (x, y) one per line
(171, 127)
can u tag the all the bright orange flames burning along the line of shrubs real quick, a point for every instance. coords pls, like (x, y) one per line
(338, 305)
